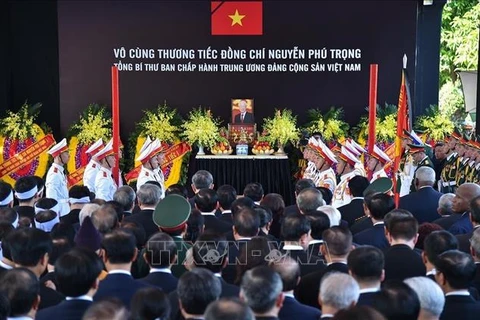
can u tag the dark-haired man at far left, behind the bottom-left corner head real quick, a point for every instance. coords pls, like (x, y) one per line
(30, 248)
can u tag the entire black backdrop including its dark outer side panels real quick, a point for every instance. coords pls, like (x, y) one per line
(30, 67)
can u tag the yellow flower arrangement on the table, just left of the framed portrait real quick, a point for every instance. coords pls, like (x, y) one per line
(201, 128)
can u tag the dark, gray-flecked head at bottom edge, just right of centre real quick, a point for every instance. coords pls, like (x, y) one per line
(261, 289)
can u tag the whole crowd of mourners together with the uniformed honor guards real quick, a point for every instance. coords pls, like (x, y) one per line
(344, 250)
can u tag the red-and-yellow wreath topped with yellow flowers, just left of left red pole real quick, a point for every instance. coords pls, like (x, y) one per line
(94, 123)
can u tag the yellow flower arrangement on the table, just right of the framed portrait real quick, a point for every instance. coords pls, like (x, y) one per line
(281, 129)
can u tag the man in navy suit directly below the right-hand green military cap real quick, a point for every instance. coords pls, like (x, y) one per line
(378, 206)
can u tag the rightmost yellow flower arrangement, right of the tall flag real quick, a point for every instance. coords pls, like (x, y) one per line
(435, 125)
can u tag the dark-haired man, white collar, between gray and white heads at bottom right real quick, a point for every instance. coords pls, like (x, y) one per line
(366, 265)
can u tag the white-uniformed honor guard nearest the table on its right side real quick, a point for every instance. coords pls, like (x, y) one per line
(325, 159)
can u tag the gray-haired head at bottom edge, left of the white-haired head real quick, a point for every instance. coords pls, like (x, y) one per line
(338, 291)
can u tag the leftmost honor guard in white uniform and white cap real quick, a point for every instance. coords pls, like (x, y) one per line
(56, 181)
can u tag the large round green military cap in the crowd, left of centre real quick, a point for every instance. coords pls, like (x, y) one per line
(172, 213)
